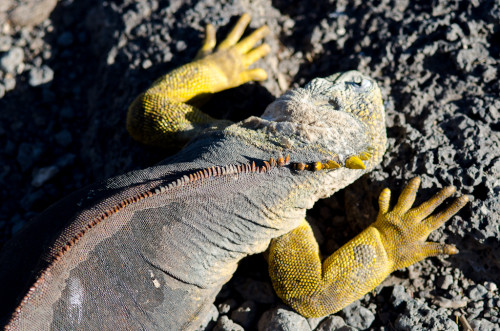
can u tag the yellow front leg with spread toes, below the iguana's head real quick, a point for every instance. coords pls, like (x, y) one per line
(397, 239)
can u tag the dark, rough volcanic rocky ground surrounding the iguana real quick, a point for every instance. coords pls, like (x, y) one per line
(66, 82)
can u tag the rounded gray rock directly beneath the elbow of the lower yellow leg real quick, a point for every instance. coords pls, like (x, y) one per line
(282, 318)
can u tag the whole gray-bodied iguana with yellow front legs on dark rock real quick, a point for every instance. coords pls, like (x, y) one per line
(150, 249)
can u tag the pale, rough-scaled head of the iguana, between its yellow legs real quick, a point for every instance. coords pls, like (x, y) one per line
(341, 114)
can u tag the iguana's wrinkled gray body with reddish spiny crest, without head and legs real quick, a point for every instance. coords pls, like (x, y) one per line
(152, 248)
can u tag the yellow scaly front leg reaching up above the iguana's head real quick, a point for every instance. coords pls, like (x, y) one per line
(166, 111)
